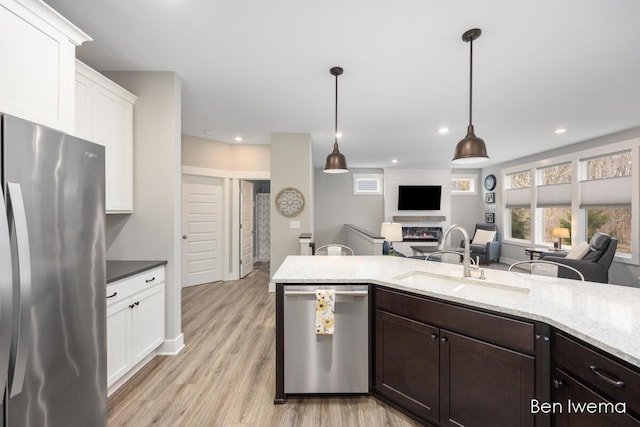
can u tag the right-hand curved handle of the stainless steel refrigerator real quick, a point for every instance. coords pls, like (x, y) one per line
(20, 346)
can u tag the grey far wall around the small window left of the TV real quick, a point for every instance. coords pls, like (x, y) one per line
(336, 205)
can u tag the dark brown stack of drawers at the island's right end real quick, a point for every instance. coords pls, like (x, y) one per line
(592, 389)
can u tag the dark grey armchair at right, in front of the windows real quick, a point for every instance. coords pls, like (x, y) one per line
(594, 266)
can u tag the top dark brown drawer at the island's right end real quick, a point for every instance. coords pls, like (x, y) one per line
(598, 371)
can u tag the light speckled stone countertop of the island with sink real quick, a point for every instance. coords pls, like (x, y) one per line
(606, 316)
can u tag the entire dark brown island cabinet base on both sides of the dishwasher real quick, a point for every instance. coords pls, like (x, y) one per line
(450, 364)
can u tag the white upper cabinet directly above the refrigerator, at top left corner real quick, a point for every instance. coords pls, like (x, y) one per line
(38, 63)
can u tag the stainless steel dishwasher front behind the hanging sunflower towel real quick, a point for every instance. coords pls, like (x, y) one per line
(337, 363)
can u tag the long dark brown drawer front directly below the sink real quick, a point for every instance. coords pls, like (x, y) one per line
(496, 329)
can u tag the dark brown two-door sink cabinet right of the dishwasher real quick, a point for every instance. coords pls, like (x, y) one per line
(436, 360)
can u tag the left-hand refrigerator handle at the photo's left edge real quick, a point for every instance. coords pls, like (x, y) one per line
(6, 295)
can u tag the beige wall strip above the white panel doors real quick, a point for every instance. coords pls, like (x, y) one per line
(205, 153)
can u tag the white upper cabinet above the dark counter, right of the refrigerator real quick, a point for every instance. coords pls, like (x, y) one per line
(104, 115)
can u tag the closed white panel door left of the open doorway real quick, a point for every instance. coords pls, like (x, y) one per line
(201, 230)
